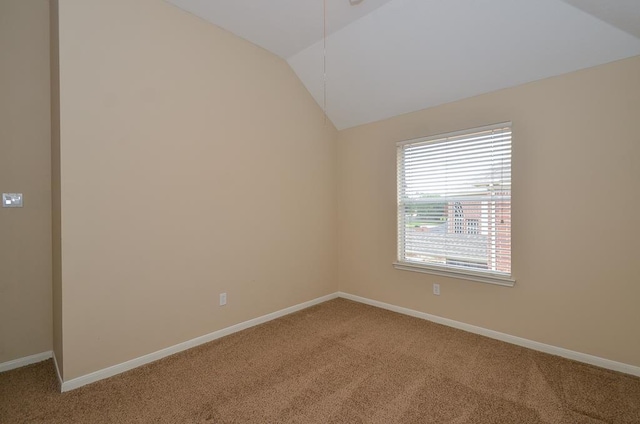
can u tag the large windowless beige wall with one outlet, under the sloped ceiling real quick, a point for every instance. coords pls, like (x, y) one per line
(192, 163)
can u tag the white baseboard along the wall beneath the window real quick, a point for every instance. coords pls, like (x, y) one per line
(541, 347)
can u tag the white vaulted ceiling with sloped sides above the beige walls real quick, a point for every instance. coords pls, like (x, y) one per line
(388, 57)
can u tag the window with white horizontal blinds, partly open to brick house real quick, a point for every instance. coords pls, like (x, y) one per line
(454, 204)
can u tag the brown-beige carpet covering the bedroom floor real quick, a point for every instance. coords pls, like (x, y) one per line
(338, 362)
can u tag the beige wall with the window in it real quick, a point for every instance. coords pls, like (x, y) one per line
(575, 233)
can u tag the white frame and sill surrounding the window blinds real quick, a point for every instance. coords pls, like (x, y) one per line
(454, 269)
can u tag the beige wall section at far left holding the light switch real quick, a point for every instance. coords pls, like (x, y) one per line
(25, 234)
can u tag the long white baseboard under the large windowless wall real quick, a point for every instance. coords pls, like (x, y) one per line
(142, 360)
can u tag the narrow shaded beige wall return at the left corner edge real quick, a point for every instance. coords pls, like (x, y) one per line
(55, 190)
